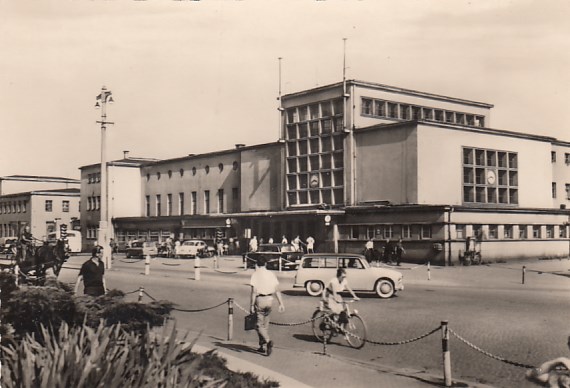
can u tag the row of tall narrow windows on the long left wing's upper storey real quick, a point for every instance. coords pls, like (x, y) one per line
(156, 208)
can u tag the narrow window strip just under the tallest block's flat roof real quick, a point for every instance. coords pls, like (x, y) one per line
(397, 110)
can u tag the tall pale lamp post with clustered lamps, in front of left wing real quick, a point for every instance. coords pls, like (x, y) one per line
(103, 236)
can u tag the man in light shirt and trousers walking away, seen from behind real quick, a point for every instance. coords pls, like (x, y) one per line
(264, 285)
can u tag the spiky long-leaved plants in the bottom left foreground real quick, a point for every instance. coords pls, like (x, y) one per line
(111, 357)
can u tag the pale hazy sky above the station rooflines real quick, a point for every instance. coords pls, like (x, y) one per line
(202, 76)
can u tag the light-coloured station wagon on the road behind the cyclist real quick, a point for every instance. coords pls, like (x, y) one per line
(316, 270)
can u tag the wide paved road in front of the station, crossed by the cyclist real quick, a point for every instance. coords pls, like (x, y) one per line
(487, 306)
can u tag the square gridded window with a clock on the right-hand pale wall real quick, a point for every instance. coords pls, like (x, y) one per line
(490, 176)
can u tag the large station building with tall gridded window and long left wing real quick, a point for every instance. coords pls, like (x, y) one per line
(357, 161)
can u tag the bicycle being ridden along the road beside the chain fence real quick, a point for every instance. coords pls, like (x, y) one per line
(326, 326)
